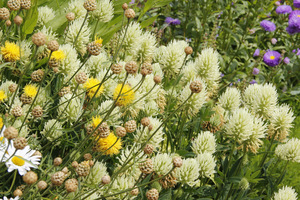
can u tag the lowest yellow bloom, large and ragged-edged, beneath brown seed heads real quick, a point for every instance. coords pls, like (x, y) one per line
(109, 146)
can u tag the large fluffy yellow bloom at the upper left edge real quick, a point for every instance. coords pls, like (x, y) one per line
(10, 52)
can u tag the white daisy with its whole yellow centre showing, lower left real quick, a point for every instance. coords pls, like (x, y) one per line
(22, 160)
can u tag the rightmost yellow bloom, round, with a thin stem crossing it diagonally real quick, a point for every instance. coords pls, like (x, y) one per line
(126, 97)
